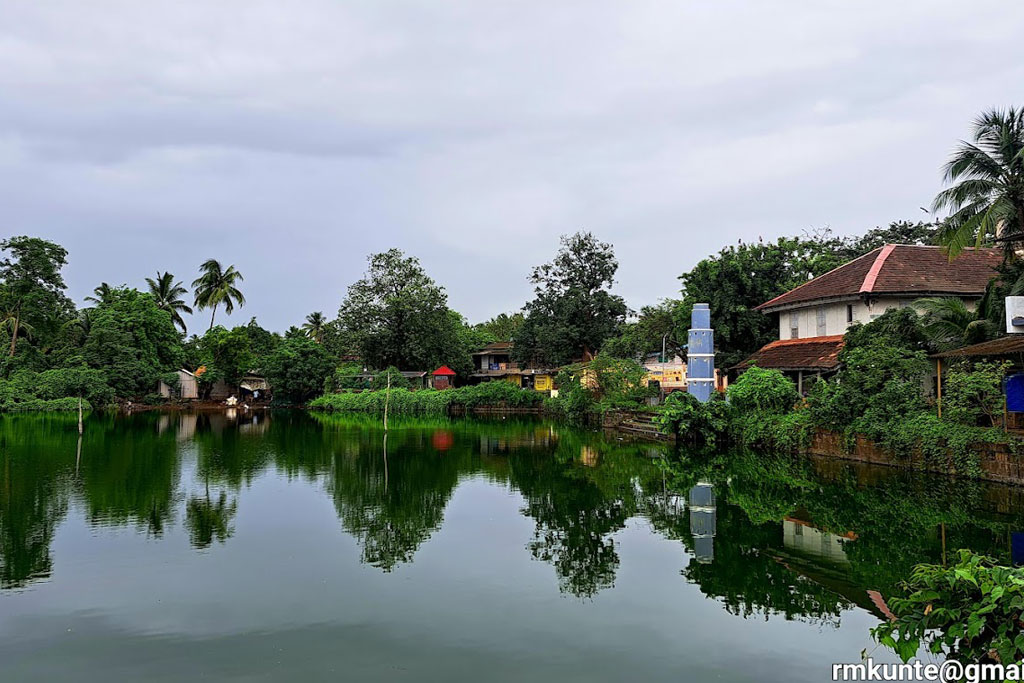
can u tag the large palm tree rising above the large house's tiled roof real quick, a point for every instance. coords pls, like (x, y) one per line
(988, 200)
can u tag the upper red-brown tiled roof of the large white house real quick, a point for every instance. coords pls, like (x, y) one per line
(906, 270)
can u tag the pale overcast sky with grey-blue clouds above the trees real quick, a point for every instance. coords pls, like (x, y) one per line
(294, 139)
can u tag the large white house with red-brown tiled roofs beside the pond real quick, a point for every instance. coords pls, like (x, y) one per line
(814, 317)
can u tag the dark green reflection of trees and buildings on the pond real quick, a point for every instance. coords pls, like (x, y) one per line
(762, 536)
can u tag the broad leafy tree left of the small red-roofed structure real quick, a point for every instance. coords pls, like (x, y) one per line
(398, 316)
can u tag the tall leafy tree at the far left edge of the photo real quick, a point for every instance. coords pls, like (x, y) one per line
(32, 289)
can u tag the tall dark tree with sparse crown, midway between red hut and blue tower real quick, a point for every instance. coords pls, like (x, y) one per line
(574, 312)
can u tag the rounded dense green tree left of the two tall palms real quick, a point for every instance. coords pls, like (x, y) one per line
(133, 341)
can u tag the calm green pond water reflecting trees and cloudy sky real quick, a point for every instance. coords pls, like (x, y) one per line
(290, 547)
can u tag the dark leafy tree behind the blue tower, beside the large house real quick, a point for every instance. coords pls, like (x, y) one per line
(739, 279)
